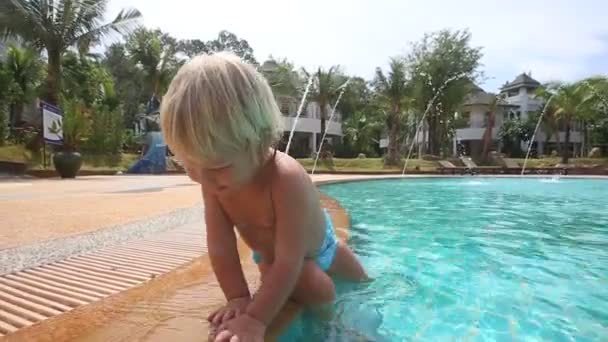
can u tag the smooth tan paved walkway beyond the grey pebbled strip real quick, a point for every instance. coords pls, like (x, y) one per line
(40, 210)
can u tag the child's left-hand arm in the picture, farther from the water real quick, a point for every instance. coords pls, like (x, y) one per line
(222, 248)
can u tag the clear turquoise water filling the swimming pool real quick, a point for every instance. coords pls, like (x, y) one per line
(477, 259)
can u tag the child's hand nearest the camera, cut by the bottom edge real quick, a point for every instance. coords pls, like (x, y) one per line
(243, 328)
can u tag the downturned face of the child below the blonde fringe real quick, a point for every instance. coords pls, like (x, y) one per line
(220, 176)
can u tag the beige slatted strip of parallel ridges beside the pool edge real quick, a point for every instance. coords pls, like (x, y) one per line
(33, 295)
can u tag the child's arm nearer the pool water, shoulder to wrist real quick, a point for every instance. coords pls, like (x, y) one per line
(292, 199)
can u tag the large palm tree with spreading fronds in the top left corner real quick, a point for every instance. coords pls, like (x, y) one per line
(58, 25)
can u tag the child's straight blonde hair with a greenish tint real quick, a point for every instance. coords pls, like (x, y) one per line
(217, 106)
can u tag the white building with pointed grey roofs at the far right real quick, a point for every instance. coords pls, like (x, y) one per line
(518, 101)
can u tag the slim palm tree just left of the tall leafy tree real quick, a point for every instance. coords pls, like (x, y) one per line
(393, 92)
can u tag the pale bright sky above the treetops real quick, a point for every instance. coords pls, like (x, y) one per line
(553, 39)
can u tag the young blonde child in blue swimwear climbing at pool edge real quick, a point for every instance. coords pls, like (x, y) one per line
(220, 118)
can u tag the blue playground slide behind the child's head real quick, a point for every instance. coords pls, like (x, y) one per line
(154, 160)
